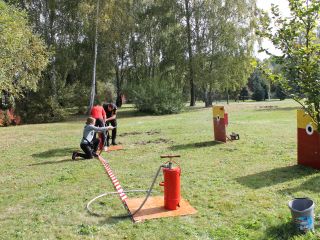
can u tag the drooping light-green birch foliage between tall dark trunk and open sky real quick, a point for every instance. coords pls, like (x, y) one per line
(224, 38)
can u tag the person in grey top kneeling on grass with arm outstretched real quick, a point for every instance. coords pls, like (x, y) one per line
(88, 143)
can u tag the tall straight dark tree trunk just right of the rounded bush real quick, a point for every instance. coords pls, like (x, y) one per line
(191, 72)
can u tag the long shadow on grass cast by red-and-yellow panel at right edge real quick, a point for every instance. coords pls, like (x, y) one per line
(275, 176)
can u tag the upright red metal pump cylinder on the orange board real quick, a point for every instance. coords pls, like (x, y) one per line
(171, 188)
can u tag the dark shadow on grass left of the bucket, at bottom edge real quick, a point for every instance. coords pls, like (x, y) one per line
(281, 232)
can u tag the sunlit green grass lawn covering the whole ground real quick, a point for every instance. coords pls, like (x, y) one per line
(240, 189)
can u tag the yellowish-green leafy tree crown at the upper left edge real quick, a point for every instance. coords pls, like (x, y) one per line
(23, 54)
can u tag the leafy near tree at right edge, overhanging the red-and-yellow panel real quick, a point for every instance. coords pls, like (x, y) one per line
(295, 37)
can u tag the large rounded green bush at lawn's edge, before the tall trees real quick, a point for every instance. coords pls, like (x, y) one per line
(158, 96)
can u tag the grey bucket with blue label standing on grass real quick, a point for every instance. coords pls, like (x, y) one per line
(302, 211)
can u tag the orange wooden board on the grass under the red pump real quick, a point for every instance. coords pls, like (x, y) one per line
(154, 208)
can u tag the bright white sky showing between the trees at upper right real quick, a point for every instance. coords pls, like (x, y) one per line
(266, 5)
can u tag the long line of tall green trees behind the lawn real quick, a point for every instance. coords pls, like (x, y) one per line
(159, 54)
